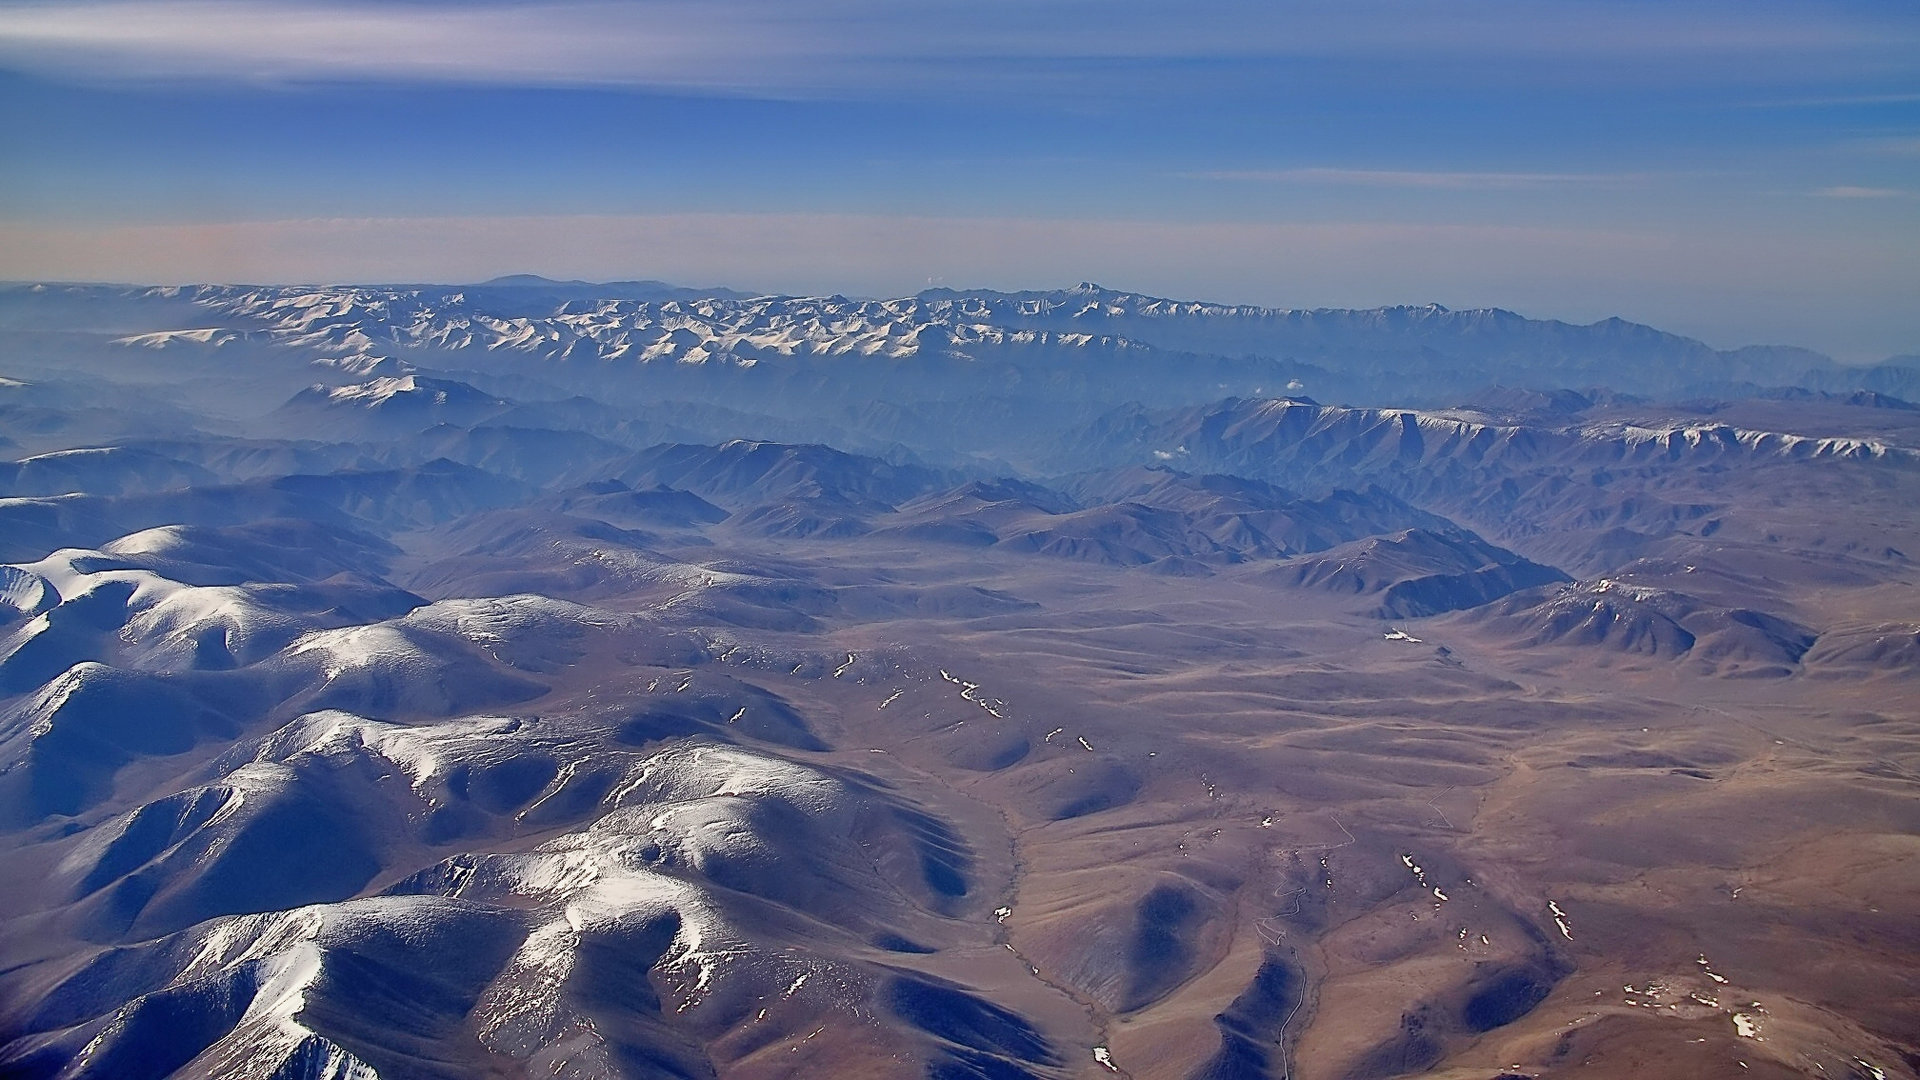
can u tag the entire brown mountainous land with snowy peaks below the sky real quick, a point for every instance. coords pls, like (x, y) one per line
(542, 679)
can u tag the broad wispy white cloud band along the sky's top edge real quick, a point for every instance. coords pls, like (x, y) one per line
(871, 45)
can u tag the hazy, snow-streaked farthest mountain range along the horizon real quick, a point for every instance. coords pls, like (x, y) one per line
(1019, 339)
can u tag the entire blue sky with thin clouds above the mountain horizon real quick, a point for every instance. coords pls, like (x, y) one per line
(1742, 172)
